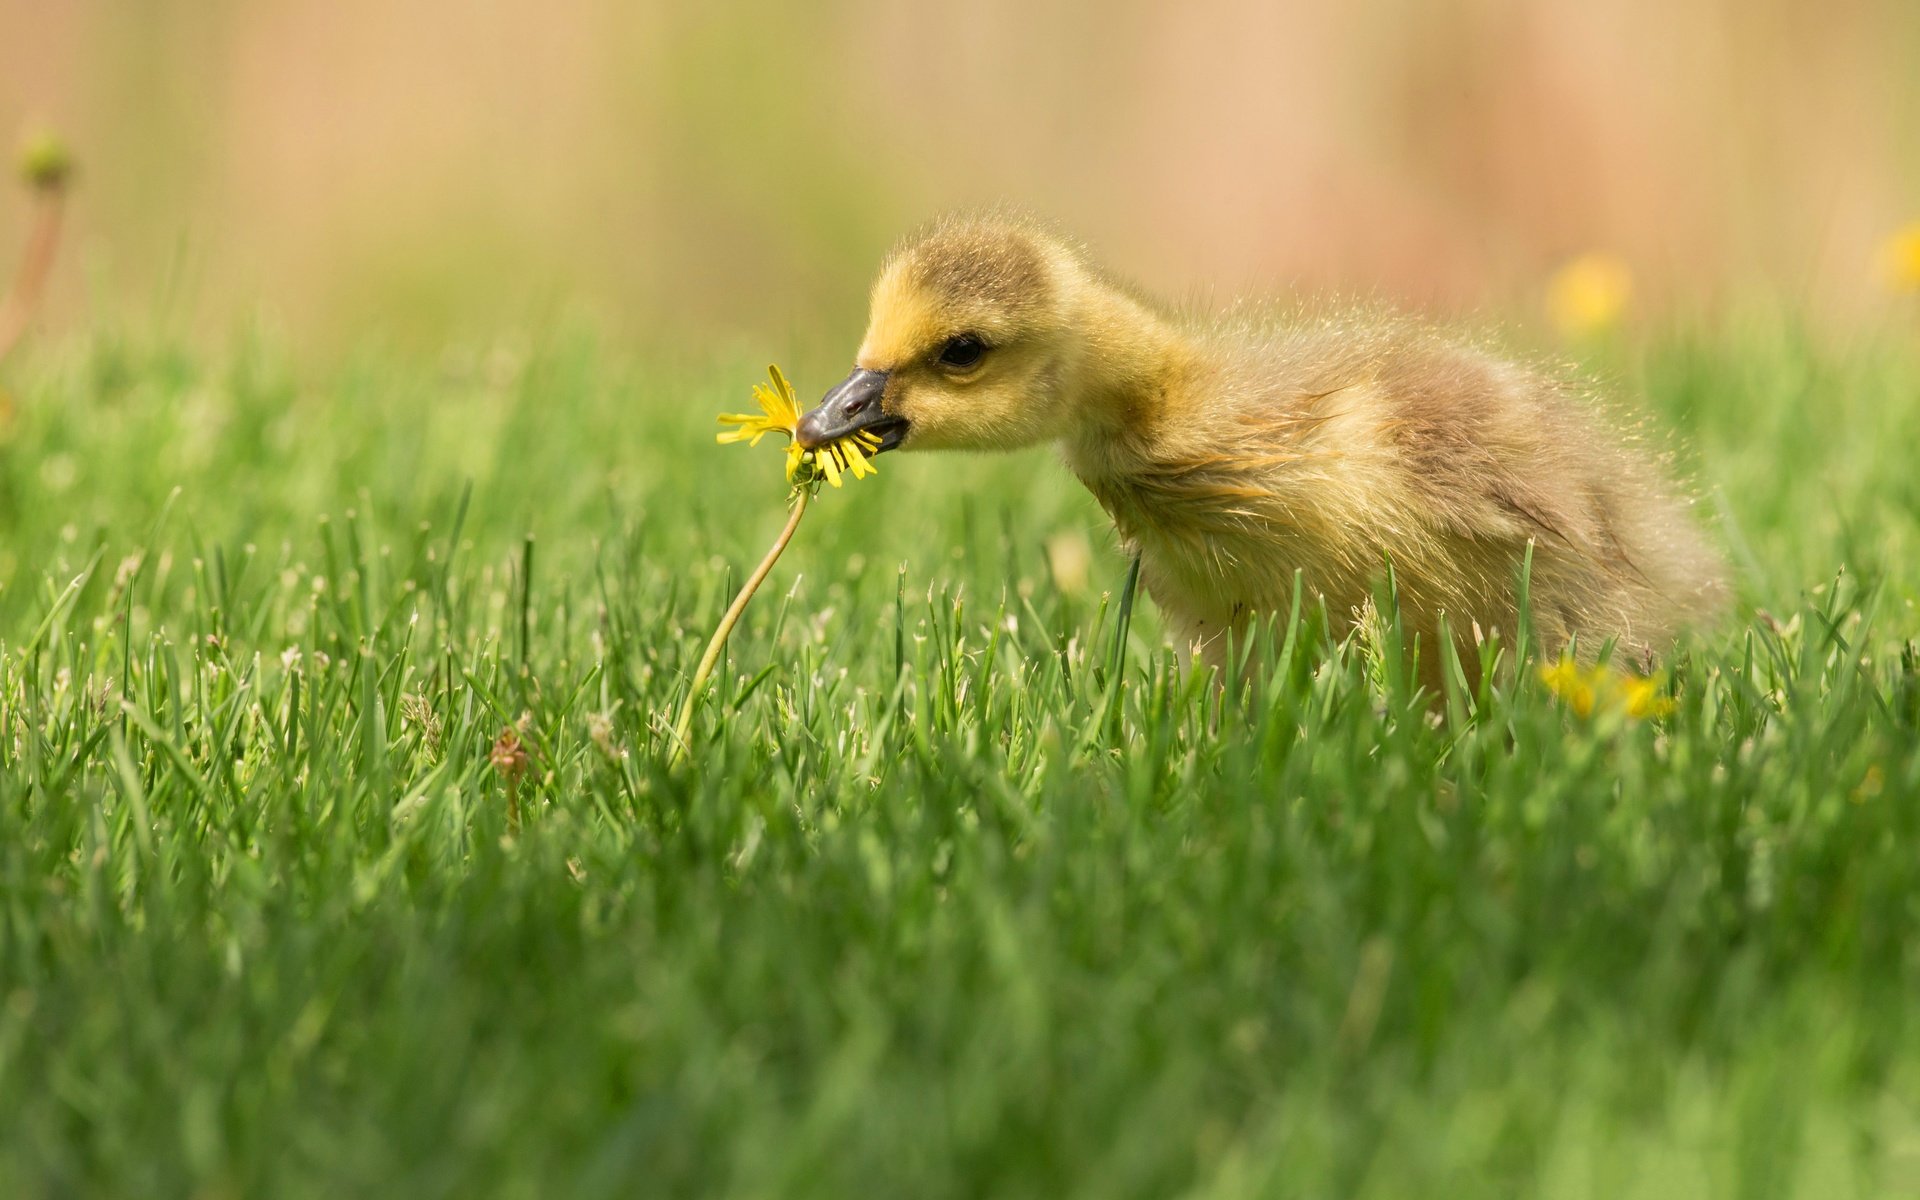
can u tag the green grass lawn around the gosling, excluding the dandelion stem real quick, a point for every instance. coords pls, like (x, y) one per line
(944, 909)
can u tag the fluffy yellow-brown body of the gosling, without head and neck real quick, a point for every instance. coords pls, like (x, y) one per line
(1349, 444)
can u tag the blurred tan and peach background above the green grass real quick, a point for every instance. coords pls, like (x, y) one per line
(454, 168)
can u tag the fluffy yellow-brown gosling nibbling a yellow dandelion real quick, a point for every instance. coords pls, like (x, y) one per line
(1237, 452)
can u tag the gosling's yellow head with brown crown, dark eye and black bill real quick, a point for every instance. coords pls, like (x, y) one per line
(978, 339)
